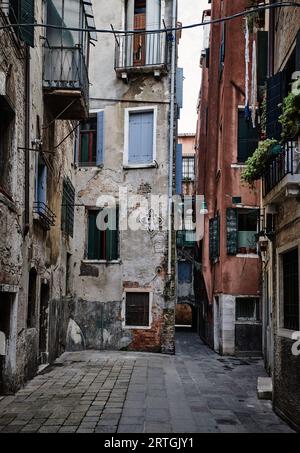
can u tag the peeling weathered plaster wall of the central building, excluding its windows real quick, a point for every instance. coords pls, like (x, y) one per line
(98, 290)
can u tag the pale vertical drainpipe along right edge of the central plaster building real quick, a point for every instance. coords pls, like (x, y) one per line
(171, 138)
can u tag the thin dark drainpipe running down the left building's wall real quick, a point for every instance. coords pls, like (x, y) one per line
(27, 144)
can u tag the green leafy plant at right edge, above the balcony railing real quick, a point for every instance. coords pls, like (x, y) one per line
(290, 118)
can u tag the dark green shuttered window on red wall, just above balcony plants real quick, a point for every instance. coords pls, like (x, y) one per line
(247, 137)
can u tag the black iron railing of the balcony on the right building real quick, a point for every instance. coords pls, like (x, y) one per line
(279, 166)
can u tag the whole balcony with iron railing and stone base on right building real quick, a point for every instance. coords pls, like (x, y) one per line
(282, 175)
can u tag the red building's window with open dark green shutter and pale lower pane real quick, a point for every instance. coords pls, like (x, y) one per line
(242, 227)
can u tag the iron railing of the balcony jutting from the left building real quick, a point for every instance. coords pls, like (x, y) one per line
(65, 68)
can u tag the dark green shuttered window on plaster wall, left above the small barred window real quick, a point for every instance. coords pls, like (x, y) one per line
(103, 244)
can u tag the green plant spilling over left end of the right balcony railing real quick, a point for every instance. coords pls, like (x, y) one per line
(256, 164)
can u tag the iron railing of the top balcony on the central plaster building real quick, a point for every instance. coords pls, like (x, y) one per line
(138, 50)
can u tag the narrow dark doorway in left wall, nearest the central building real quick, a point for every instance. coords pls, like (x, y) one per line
(43, 324)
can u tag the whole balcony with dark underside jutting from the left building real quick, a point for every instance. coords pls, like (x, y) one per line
(65, 82)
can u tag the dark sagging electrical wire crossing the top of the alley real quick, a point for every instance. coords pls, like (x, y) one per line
(161, 30)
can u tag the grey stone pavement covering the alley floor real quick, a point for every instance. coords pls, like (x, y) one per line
(109, 392)
